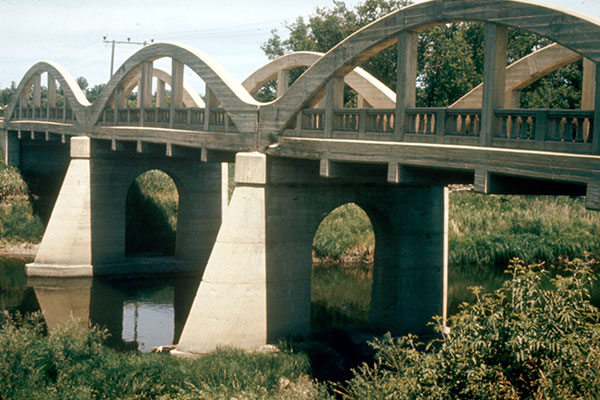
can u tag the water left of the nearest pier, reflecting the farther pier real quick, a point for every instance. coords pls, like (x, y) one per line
(139, 312)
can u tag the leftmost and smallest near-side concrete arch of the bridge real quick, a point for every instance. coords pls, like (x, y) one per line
(71, 89)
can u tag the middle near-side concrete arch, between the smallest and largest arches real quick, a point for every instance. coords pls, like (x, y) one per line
(226, 89)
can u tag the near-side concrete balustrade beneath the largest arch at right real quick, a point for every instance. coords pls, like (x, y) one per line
(552, 130)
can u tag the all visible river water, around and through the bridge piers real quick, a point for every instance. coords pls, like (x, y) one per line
(143, 312)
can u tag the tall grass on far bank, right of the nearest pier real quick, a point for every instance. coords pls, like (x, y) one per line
(486, 229)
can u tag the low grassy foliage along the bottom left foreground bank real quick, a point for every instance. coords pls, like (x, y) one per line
(70, 362)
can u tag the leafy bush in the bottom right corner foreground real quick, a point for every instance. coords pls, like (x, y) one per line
(527, 340)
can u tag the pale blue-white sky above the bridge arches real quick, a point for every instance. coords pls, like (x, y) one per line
(231, 31)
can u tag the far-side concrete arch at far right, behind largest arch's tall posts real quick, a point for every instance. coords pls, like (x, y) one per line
(524, 72)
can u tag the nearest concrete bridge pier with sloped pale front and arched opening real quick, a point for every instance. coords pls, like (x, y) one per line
(256, 286)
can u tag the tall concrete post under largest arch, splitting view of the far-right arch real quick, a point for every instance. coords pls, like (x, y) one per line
(494, 79)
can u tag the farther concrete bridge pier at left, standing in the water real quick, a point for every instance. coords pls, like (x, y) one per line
(86, 232)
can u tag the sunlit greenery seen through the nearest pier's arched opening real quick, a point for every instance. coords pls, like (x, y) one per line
(345, 230)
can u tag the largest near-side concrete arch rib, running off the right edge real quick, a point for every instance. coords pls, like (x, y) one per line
(577, 33)
